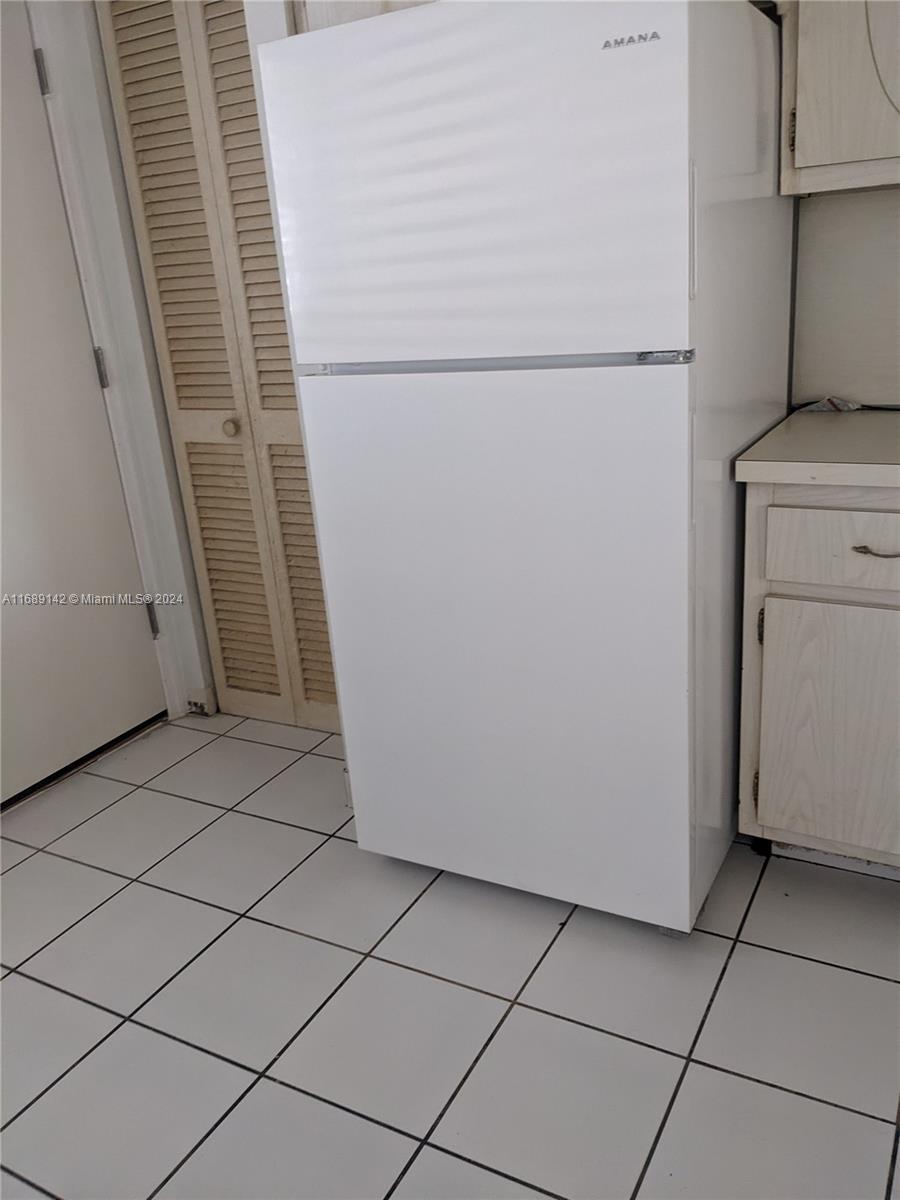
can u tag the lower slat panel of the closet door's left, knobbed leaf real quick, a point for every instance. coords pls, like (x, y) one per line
(219, 478)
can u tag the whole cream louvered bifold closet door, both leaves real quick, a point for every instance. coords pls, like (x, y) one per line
(221, 345)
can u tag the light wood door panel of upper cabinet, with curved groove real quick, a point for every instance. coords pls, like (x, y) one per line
(848, 82)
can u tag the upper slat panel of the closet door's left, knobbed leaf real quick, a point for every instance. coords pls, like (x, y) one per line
(153, 85)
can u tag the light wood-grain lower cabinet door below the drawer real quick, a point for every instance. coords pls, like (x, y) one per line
(830, 755)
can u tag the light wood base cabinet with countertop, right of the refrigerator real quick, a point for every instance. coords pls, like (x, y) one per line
(820, 742)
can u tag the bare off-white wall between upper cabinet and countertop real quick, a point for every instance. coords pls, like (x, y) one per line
(848, 332)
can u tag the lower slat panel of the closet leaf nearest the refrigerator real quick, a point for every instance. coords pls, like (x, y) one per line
(304, 575)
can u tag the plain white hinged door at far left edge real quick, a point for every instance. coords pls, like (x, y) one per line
(75, 676)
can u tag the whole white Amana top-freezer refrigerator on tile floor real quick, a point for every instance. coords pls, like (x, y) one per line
(538, 278)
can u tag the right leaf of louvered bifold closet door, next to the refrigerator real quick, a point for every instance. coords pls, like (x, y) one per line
(226, 97)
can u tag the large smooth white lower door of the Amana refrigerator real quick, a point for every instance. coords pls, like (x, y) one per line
(507, 572)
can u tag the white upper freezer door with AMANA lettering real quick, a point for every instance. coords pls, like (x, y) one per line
(470, 181)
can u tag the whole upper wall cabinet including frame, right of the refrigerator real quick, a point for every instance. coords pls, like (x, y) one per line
(841, 123)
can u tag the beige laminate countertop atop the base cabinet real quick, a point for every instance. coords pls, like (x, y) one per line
(859, 449)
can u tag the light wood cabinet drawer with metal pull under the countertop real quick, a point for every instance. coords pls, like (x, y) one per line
(833, 547)
